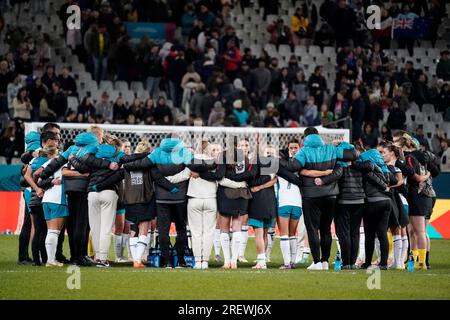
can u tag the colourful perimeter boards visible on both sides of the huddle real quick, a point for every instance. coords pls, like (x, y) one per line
(12, 205)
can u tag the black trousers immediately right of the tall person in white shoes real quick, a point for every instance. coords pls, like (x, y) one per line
(347, 220)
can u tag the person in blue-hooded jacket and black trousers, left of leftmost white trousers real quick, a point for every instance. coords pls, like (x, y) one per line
(76, 184)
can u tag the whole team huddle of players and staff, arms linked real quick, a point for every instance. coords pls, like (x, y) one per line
(97, 189)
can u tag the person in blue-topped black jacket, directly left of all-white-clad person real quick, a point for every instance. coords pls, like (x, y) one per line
(170, 158)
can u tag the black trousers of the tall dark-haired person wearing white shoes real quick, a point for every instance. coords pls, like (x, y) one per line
(318, 217)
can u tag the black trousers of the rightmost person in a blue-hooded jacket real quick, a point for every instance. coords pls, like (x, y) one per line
(376, 221)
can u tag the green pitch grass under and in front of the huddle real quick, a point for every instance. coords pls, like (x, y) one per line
(124, 282)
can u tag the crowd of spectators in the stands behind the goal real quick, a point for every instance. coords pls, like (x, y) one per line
(209, 75)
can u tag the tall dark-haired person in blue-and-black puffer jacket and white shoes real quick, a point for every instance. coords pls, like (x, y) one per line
(319, 200)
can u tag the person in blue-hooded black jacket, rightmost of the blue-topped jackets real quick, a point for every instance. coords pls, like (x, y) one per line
(378, 206)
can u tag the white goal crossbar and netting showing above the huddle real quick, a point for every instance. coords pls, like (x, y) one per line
(278, 137)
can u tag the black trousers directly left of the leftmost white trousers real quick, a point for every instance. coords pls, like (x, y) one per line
(78, 224)
